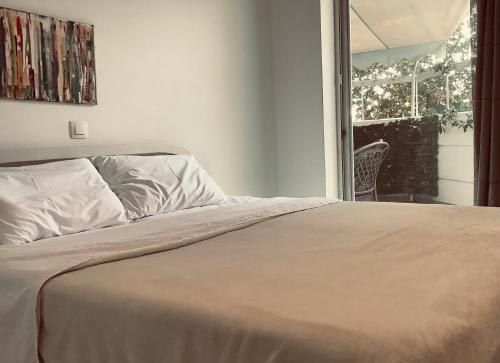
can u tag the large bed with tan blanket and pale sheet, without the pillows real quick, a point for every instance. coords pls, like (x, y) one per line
(261, 280)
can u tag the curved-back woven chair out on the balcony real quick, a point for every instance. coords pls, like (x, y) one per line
(367, 161)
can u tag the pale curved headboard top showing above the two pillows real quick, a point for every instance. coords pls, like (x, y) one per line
(33, 156)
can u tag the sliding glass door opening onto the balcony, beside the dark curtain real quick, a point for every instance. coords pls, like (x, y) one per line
(406, 100)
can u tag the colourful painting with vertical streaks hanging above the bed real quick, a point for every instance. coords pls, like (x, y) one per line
(46, 59)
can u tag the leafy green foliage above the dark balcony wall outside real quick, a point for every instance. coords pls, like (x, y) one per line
(394, 100)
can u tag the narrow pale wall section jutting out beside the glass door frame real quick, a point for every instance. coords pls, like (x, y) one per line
(299, 91)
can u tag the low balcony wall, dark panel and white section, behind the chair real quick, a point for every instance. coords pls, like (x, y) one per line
(425, 164)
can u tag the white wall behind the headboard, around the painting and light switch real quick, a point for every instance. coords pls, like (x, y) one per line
(194, 73)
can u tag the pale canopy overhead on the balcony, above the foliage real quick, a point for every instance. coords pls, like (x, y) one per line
(387, 30)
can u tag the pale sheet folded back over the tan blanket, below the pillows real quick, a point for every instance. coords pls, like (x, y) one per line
(25, 269)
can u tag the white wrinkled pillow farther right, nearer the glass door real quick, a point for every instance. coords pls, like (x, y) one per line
(151, 185)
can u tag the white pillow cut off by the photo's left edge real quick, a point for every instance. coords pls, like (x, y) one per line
(55, 199)
